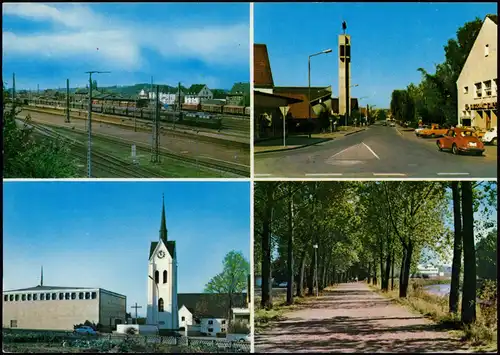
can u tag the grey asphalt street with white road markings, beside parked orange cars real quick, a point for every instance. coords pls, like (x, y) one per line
(378, 152)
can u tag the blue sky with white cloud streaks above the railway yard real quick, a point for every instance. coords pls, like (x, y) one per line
(45, 43)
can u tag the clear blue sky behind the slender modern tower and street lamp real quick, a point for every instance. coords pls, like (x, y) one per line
(390, 41)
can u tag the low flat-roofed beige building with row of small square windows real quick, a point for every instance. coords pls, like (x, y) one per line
(60, 308)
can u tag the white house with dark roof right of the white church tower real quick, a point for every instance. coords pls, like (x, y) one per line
(207, 313)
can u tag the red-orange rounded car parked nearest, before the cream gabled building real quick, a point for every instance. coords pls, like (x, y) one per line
(460, 140)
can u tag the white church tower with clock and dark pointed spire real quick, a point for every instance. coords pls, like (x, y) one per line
(162, 307)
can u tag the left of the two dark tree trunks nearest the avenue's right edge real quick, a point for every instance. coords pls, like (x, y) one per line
(457, 249)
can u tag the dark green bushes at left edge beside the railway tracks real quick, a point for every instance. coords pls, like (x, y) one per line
(28, 157)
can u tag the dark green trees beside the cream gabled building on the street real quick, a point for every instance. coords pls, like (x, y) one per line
(434, 99)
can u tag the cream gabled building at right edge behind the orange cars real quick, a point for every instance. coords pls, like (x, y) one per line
(477, 83)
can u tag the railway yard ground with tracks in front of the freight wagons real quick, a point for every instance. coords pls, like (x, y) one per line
(184, 151)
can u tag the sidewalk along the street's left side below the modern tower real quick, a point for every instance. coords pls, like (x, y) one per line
(301, 141)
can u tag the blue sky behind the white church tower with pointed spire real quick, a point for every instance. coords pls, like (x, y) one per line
(97, 234)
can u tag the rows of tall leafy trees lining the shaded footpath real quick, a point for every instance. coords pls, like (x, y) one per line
(316, 234)
